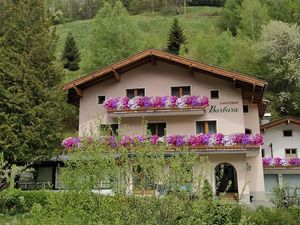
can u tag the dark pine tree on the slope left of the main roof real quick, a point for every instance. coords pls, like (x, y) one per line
(71, 55)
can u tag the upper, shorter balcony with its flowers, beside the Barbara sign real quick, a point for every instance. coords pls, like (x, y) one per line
(141, 106)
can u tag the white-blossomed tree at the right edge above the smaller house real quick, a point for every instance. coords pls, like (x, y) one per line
(280, 54)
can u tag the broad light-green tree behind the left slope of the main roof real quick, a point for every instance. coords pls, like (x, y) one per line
(113, 36)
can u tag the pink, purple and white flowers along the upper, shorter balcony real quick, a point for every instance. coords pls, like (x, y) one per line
(158, 102)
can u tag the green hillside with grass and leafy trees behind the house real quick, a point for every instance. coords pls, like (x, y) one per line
(242, 35)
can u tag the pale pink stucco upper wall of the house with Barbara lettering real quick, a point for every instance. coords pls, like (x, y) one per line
(157, 81)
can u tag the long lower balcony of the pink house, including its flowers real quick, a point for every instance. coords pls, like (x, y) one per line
(202, 143)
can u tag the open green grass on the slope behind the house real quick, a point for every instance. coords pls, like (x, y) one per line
(153, 30)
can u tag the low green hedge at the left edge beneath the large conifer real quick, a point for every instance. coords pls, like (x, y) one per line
(15, 201)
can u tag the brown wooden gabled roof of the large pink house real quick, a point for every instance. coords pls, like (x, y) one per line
(255, 86)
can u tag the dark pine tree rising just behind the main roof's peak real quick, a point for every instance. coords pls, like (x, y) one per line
(176, 38)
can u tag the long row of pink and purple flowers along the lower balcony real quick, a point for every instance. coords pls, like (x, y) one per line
(175, 141)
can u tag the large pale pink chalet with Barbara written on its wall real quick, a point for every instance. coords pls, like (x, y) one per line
(221, 102)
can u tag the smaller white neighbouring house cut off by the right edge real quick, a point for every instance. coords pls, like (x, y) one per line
(281, 153)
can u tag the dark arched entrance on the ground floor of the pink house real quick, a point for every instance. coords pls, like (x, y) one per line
(226, 178)
